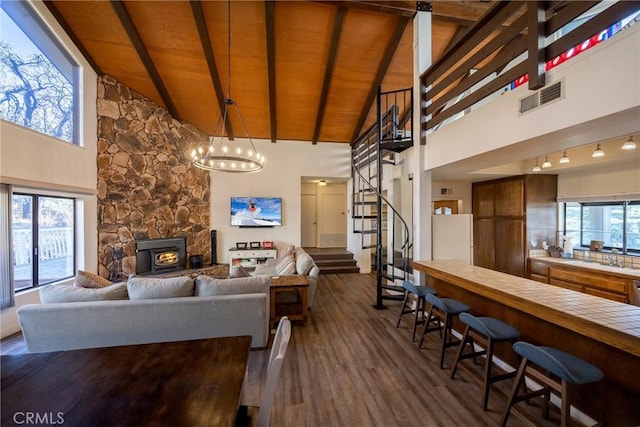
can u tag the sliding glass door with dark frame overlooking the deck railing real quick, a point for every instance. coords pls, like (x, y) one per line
(43, 244)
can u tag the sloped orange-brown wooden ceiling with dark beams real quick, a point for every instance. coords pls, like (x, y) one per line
(300, 70)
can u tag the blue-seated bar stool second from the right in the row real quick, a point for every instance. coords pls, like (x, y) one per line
(486, 331)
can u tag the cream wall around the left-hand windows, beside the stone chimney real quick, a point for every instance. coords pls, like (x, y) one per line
(34, 161)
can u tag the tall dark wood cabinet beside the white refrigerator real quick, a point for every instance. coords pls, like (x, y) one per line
(511, 216)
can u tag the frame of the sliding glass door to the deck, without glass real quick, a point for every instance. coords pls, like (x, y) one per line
(35, 239)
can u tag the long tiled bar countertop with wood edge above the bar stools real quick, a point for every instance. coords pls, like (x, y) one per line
(610, 322)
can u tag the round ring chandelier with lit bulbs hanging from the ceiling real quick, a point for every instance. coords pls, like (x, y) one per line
(223, 153)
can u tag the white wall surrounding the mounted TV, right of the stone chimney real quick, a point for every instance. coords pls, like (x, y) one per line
(286, 163)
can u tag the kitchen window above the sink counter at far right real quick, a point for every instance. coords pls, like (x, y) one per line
(617, 224)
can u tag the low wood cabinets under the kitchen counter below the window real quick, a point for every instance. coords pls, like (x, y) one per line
(604, 284)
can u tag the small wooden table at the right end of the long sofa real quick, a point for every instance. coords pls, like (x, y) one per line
(294, 310)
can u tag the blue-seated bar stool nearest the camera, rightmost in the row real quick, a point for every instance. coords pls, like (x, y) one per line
(570, 369)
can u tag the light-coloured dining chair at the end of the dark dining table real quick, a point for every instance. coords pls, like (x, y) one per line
(259, 415)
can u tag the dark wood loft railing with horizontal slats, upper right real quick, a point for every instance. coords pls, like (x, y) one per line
(511, 40)
